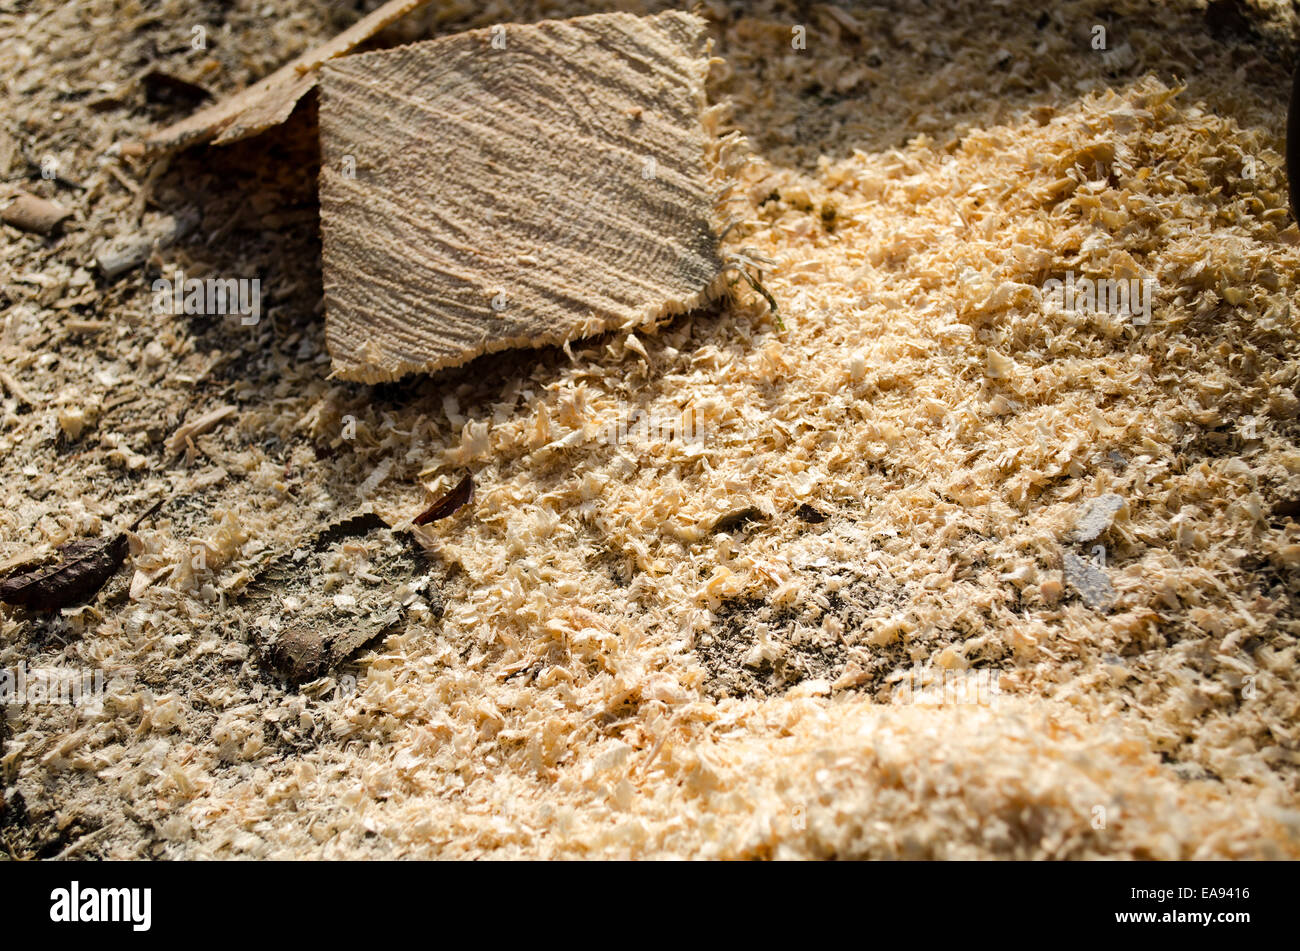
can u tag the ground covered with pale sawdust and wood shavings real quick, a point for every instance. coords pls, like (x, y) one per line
(755, 644)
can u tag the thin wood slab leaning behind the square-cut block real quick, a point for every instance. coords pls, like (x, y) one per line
(271, 102)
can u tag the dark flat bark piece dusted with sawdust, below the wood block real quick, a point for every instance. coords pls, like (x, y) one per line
(349, 584)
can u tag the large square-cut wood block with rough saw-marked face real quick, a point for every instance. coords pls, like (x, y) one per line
(514, 186)
